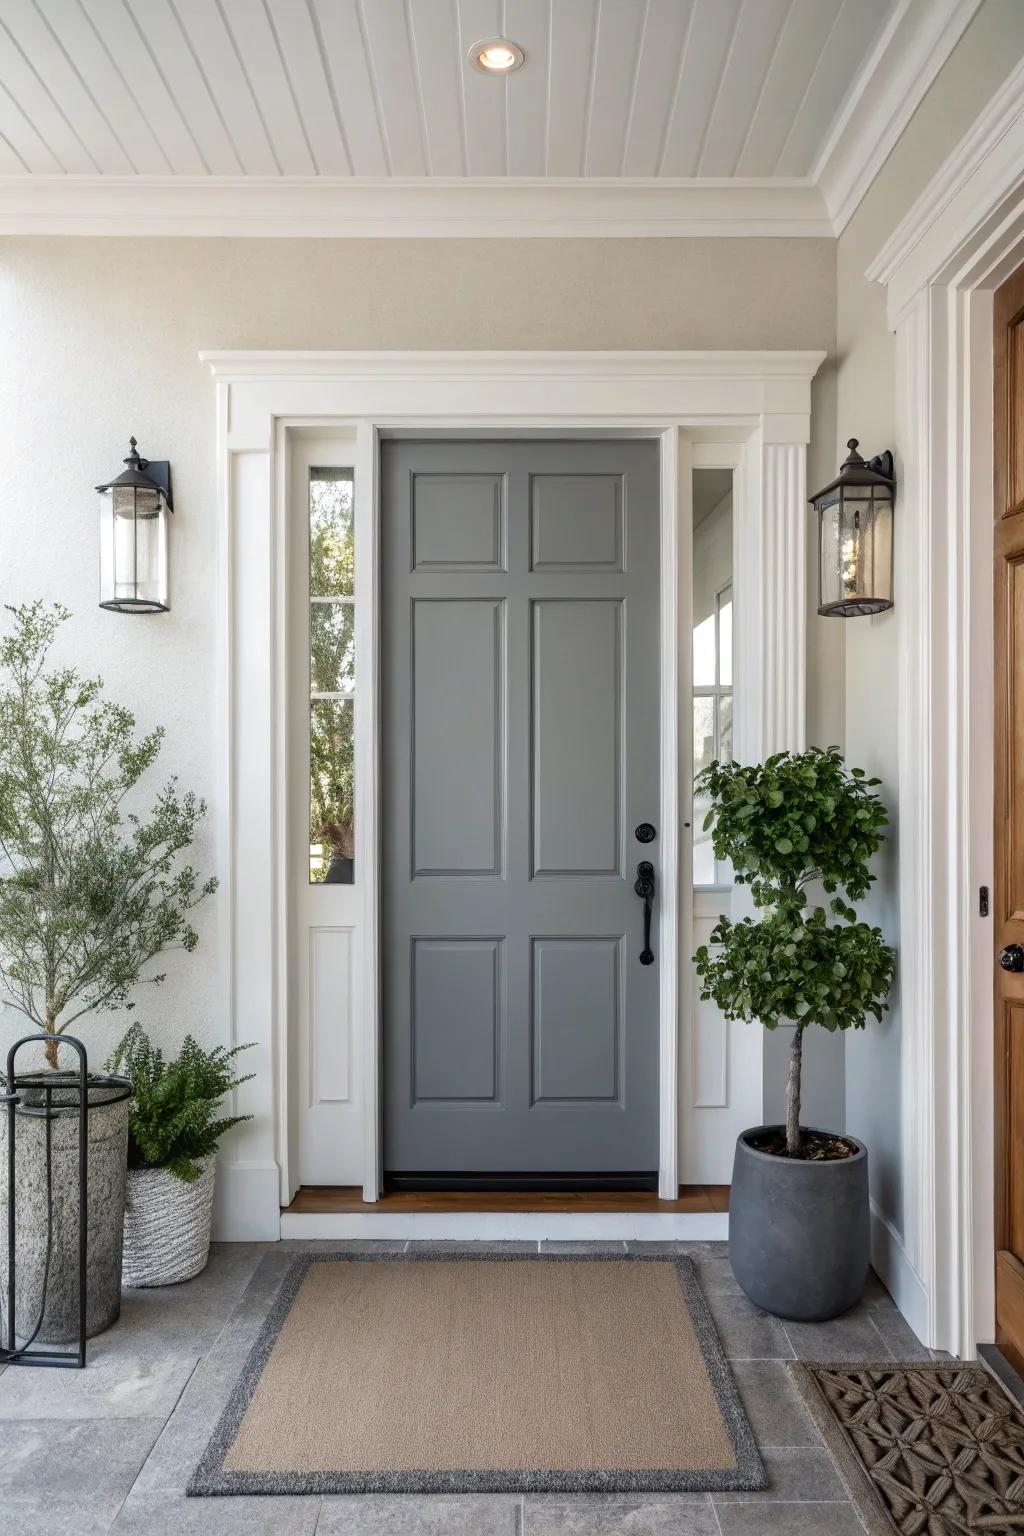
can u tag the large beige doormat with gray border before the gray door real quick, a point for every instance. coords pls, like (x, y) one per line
(400, 1374)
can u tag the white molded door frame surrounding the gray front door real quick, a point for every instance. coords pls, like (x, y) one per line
(761, 399)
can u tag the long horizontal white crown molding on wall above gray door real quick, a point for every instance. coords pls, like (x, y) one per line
(503, 208)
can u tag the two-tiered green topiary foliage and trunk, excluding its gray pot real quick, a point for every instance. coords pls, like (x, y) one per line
(794, 819)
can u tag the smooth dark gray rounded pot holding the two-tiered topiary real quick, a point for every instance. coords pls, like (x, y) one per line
(799, 1233)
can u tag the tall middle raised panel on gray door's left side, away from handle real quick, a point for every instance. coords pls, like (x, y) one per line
(458, 738)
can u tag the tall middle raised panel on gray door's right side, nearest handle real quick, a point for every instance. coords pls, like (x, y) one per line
(578, 737)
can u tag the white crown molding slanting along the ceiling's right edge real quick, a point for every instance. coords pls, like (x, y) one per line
(891, 85)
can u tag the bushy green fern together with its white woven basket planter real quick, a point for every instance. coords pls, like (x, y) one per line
(173, 1154)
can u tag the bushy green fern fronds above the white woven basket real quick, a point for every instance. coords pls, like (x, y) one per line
(174, 1104)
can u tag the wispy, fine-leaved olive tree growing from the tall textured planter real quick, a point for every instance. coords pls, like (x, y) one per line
(91, 890)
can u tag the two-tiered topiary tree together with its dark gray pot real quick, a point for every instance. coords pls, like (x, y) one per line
(799, 1217)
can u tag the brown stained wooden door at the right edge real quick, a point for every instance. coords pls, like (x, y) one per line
(1009, 812)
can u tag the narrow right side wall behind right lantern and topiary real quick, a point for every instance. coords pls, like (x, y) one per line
(991, 47)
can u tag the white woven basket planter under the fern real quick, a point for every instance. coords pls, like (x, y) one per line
(168, 1225)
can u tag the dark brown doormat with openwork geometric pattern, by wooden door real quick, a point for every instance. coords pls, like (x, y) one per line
(925, 1451)
